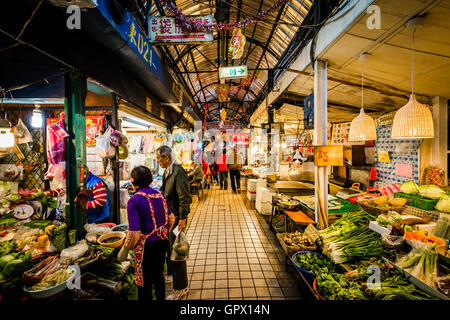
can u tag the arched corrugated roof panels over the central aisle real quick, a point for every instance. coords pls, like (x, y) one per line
(266, 43)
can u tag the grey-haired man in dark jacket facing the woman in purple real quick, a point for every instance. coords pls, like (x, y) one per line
(175, 187)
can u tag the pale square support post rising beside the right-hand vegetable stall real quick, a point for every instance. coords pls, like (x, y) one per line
(320, 137)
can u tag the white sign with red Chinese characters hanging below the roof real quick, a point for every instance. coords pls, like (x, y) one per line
(166, 30)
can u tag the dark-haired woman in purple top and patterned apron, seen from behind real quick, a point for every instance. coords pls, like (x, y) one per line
(149, 221)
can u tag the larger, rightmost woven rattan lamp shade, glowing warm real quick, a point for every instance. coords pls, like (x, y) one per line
(413, 120)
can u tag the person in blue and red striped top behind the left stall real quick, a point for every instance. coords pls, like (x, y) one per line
(97, 205)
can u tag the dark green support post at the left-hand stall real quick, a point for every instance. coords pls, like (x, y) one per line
(75, 122)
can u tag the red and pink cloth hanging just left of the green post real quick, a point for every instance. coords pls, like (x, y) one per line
(56, 134)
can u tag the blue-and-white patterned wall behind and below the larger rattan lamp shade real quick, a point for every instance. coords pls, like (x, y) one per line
(400, 151)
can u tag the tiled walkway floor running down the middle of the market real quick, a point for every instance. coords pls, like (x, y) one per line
(233, 253)
